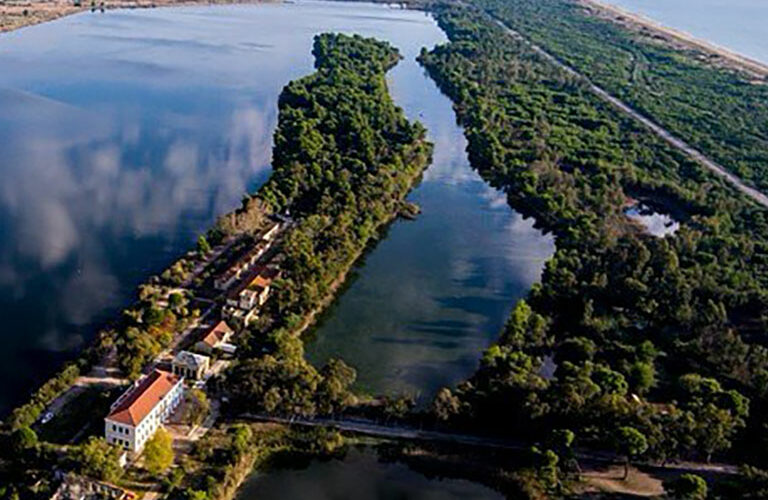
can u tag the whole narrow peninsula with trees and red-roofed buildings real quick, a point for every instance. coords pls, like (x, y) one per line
(344, 159)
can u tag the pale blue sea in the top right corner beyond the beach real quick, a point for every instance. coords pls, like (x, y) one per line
(738, 25)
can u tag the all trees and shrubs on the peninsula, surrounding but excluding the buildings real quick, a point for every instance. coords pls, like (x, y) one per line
(345, 157)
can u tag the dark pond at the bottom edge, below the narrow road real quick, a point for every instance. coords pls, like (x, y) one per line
(360, 476)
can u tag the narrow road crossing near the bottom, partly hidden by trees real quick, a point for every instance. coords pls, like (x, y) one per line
(370, 428)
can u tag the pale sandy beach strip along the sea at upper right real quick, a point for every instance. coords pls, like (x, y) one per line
(678, 39)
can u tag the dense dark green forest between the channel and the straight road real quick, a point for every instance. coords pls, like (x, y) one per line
(663, 336)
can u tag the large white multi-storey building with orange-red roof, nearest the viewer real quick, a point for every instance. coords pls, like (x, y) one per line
(138, 413)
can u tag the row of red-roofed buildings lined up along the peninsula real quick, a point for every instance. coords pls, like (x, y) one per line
(137, 414)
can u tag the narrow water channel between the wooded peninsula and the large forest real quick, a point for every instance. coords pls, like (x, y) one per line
(435, 291)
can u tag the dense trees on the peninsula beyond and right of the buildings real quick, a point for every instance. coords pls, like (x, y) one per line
(345, 157)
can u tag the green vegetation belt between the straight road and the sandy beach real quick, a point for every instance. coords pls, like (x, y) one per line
(718, 111)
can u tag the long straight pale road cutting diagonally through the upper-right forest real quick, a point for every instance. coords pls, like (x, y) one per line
(660, 131)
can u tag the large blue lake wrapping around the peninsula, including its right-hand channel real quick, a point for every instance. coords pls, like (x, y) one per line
(124, 134)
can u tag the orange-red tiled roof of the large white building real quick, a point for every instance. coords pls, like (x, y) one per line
(138, 402)
